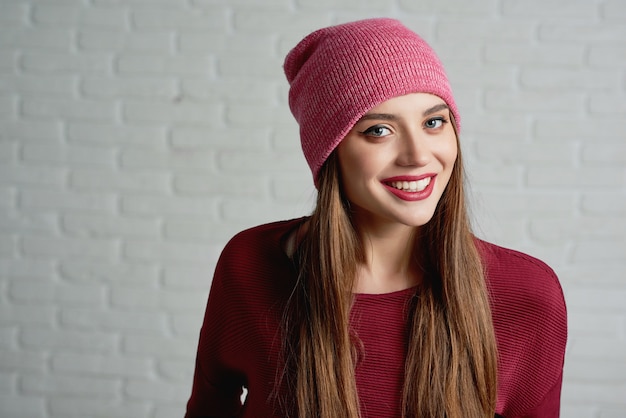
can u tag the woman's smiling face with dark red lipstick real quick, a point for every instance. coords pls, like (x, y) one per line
(397, 160)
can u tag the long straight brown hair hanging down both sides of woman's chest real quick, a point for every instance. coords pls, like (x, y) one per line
(451, 364)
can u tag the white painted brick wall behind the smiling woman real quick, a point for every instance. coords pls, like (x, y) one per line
(137, 136)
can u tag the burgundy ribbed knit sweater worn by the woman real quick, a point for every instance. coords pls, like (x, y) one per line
(240, 339)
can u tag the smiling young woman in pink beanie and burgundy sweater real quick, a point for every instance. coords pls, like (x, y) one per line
(381, 303)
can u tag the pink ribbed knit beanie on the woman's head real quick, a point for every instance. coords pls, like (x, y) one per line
(337, 74)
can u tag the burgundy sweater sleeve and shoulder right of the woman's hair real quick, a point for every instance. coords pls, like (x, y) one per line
(530, 320)
